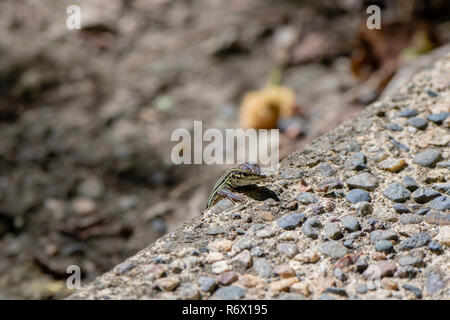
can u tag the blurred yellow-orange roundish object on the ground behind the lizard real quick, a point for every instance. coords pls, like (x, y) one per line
(262, 109)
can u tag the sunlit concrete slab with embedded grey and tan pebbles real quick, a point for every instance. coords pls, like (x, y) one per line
(361, 213)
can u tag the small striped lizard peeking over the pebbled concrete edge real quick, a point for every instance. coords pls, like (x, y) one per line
(241, 175)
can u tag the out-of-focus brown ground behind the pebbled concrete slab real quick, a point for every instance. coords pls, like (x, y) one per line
(86, 115)
